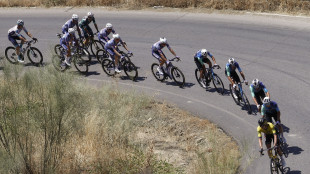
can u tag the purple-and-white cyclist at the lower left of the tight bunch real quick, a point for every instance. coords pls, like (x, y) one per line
(66, 42)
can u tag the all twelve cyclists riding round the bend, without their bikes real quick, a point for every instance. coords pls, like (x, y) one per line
(261, 97)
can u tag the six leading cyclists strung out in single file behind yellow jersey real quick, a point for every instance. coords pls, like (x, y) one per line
(261, 97)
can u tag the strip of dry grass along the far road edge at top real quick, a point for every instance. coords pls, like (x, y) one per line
(289, 6)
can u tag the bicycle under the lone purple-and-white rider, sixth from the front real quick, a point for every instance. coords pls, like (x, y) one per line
(170, 71)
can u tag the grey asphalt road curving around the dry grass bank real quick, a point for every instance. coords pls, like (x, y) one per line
(271, 48)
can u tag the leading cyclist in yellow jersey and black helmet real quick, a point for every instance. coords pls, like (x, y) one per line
(271, 135)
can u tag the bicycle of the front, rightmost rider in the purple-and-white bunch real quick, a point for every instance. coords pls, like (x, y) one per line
(108, 66)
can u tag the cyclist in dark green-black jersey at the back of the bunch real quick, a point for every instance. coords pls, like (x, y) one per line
(84, 25)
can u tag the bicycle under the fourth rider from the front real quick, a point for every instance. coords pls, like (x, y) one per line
(241, 97)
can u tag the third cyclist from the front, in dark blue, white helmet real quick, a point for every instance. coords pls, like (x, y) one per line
(258, 92)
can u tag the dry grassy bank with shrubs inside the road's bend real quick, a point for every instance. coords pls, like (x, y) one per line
(51, 122)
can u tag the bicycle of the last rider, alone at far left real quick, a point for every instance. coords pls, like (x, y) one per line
(33, 54)
